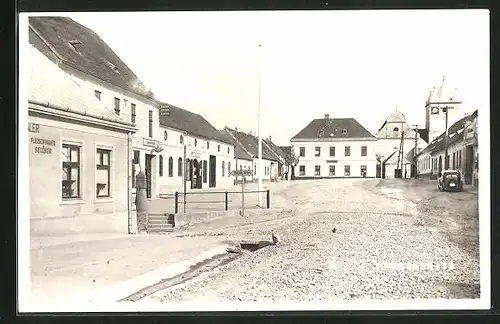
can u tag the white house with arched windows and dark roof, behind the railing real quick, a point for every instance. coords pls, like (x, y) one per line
(209, 158)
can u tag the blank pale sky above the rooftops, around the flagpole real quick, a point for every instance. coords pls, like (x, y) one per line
(360, 64)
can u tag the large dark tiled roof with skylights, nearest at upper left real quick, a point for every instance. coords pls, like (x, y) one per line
(63, 40)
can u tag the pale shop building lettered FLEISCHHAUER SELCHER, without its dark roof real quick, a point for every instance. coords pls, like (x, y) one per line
(79, 175)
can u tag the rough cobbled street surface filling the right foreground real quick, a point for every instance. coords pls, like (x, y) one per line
(349, 239)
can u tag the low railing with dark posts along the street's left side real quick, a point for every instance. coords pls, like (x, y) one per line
(224, 199)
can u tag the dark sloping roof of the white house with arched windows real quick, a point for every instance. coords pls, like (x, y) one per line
(194, 124)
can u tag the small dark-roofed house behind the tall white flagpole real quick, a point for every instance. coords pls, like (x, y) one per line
(249, 149)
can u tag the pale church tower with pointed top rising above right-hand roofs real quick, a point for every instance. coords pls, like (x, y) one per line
(435, 117)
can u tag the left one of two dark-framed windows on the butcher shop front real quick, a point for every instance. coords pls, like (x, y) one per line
(70, 171)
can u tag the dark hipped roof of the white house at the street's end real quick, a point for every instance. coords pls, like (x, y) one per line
(332, 128)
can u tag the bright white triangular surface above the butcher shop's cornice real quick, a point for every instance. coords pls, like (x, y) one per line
(72, 99)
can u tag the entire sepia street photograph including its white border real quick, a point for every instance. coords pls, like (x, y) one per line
(254, 160)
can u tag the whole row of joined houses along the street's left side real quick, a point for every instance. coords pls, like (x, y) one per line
(93, 126)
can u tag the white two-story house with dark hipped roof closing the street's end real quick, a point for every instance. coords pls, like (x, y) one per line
(334, 147)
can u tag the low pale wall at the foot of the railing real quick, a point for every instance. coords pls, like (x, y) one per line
(183, 219)
